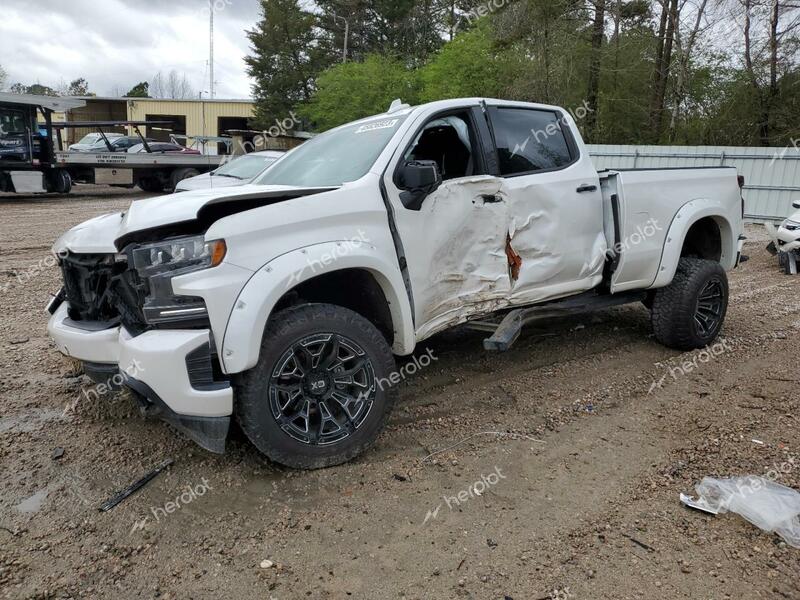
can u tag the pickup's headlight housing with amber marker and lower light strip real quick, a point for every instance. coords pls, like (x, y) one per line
(158, 263)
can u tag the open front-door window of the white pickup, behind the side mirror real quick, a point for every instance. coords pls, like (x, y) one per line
(449, 142)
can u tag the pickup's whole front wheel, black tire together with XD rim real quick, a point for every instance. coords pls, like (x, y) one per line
(316, 397)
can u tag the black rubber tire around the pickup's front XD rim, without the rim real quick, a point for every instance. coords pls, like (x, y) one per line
(252, 397)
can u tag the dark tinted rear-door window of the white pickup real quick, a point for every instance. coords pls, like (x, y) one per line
(529, 140)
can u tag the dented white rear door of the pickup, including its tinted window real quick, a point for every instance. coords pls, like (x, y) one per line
(556, 242)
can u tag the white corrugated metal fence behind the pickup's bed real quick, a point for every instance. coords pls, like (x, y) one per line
(772, 175)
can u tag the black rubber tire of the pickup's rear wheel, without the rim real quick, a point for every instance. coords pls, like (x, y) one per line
(675, 306)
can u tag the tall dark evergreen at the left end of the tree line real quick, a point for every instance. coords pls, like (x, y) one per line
(286, 58)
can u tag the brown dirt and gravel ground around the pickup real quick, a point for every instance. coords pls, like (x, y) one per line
(582, 502)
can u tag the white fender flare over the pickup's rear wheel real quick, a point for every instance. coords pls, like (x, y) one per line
(689, 214)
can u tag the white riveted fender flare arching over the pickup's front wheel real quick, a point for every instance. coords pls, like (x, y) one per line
(241, 345)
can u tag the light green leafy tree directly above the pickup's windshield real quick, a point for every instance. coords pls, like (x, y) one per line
(353, 90)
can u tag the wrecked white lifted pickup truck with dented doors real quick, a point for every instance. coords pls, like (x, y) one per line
(283, 303)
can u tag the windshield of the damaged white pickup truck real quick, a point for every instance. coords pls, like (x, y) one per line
(333, 158)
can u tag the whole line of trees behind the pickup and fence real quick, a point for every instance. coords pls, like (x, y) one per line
(707, 72)
